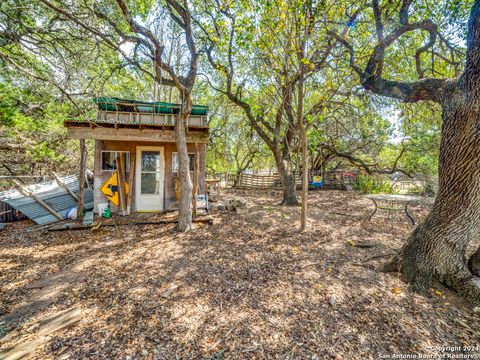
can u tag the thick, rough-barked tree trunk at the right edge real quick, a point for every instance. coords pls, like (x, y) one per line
(436, 250)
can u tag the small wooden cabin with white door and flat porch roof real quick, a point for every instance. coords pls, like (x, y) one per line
(143, 134)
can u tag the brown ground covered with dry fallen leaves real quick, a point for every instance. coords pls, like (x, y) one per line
(248, 286)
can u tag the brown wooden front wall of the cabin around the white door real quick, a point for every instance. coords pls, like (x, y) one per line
(100, 177)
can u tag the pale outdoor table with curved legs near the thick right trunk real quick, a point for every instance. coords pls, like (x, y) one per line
(396, 202)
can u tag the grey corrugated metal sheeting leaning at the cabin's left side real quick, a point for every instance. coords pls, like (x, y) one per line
(52, 194)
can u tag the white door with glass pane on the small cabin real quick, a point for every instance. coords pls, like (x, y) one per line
(150, 175)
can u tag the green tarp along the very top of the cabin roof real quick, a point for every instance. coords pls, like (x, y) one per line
(116, 104)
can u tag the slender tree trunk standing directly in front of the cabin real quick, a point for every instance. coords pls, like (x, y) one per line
(184, 207)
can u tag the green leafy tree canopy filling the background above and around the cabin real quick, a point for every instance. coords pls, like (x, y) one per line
(266, 47)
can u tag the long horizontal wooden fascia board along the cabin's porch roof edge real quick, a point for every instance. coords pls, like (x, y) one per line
(124, 134)
